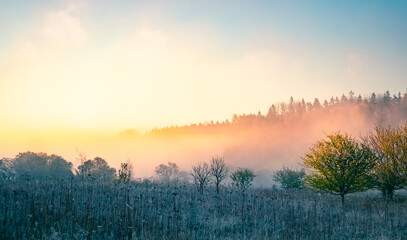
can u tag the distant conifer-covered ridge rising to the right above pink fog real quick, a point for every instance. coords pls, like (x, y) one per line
(381, 109)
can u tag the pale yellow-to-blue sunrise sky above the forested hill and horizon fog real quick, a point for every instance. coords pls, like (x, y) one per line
(100, 66)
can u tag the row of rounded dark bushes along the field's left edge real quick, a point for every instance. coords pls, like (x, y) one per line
(30, 166)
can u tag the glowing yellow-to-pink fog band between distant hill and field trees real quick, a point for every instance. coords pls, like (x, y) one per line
(259, 147)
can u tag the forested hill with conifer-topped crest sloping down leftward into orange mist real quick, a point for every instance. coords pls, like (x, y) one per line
(349, 110)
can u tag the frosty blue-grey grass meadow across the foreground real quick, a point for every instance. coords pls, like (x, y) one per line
(40, 210)
